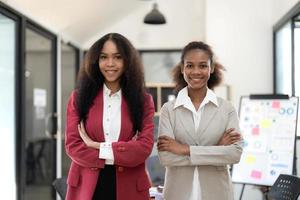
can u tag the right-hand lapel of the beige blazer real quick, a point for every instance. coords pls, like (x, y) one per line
(208, 114)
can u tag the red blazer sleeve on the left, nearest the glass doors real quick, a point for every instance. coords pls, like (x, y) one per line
(75, 147)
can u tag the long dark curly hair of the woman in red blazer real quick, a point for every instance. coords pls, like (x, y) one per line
(90, 78)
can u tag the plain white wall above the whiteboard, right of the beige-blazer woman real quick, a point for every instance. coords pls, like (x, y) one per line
(241, 34)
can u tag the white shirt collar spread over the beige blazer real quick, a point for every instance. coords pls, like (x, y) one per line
(183, 98)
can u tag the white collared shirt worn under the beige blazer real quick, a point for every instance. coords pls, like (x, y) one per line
(184, 100)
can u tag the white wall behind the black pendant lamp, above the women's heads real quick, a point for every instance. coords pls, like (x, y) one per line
(184, 23)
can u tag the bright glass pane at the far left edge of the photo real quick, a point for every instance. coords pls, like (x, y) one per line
(7, 107)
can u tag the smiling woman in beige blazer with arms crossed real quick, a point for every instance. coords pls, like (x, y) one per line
(198, 131)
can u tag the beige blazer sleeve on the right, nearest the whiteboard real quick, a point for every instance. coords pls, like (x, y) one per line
(219, 155)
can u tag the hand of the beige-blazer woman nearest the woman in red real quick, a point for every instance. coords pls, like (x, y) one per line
(166, 143)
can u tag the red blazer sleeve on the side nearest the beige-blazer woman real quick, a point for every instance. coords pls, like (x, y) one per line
(134, 152)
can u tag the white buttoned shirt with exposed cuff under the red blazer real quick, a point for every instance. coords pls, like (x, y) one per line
(111, 123)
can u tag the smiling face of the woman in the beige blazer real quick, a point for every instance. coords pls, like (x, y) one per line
(196, 69)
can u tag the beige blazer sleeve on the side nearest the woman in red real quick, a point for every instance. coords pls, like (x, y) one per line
(166, 128)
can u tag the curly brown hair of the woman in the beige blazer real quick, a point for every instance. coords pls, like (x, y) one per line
(215, 78)
